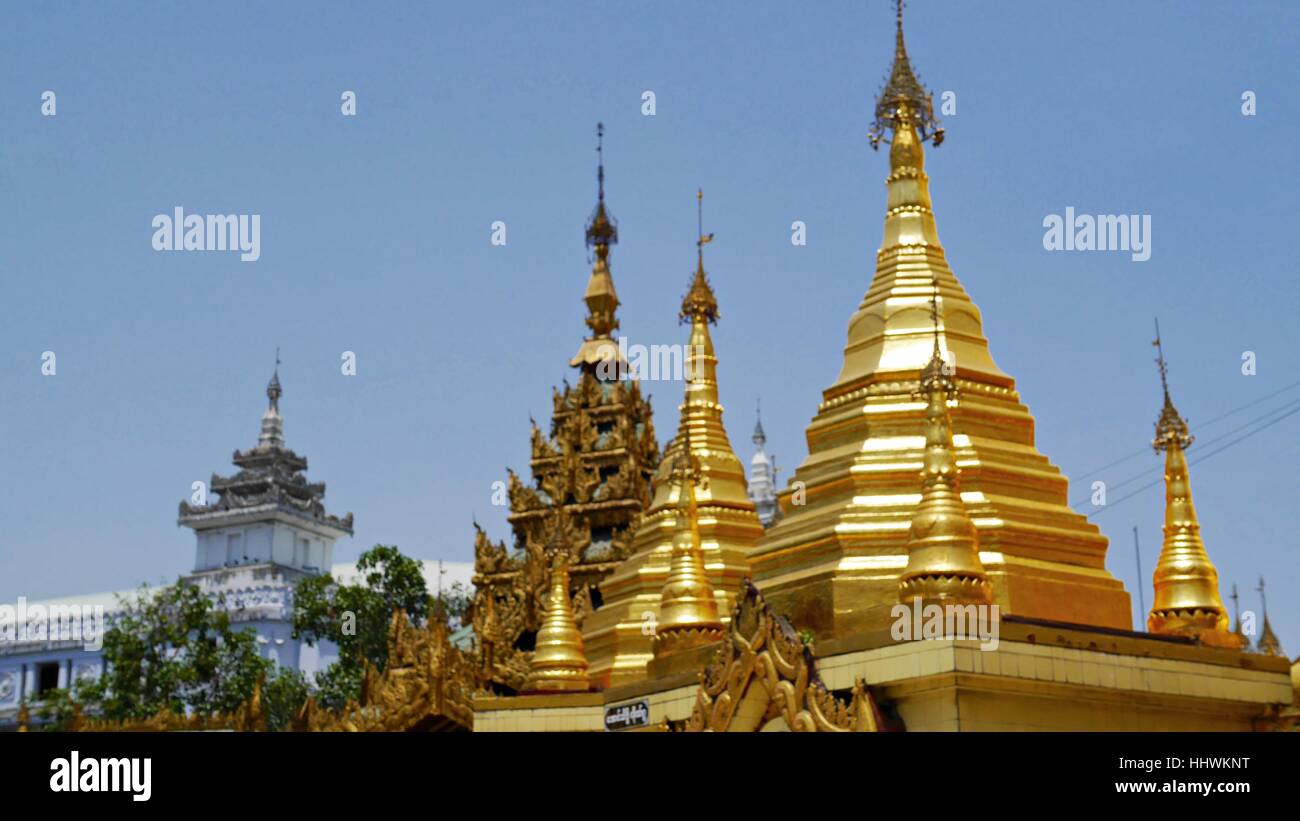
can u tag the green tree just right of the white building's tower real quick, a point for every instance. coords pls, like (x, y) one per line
(357, 616)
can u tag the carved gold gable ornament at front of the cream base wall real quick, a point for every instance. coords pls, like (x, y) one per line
(762, 672)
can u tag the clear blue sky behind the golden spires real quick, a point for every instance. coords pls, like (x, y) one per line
(376, 240)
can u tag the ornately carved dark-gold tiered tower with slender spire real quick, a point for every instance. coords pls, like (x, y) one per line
(595, 467)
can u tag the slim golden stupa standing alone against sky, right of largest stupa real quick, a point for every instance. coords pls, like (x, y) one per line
(1188, 600)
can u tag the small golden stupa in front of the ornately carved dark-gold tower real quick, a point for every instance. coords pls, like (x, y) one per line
(560, 662)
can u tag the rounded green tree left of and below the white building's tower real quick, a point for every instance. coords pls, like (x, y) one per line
(175, 649)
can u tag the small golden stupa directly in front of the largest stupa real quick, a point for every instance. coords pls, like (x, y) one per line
(943, 546)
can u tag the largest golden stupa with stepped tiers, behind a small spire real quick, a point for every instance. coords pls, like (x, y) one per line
(835, 559)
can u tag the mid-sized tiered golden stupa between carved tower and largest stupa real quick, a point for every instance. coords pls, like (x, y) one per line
(621, 636)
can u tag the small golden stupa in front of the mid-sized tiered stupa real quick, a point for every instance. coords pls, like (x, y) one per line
(688, 611)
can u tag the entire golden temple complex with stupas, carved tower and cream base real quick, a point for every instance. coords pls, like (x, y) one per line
(644, 593)
